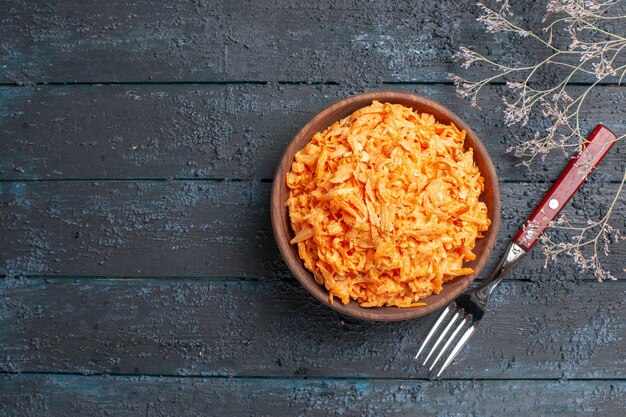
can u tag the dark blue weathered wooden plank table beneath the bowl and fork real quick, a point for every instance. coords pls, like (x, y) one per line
(138, 142)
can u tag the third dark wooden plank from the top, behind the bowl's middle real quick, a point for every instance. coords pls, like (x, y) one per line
(200, 228)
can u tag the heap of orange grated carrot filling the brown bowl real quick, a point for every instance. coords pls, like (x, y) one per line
(385, 206)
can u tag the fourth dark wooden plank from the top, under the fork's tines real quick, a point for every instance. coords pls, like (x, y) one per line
(544, 328)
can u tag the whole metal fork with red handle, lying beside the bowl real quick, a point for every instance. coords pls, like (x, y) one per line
(462, 316)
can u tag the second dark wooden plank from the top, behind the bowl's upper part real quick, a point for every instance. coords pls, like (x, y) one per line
(234, 131)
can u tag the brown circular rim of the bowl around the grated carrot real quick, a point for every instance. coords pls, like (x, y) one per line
(279, 211)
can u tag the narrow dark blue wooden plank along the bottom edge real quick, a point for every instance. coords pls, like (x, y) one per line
(63, 395)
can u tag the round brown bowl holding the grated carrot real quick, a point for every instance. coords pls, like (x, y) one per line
(284, 233)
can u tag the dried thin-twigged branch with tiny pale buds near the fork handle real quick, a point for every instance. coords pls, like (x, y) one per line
(593, 49)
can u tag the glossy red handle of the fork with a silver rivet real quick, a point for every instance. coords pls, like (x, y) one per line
(570, 180)
